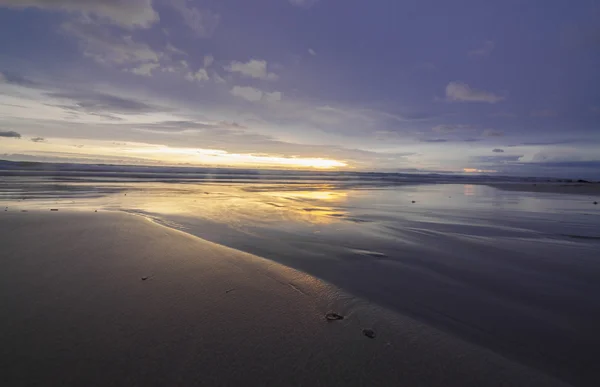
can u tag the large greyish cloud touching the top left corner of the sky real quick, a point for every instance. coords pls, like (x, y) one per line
(125, 13)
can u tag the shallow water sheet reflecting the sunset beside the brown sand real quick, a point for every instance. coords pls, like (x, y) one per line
(516, 272)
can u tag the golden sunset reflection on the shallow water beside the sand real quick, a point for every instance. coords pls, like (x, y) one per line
(237, 207)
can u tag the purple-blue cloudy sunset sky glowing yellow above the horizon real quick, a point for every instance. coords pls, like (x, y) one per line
(477, 86)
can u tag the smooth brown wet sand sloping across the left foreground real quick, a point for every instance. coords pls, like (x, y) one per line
(76, 311)
